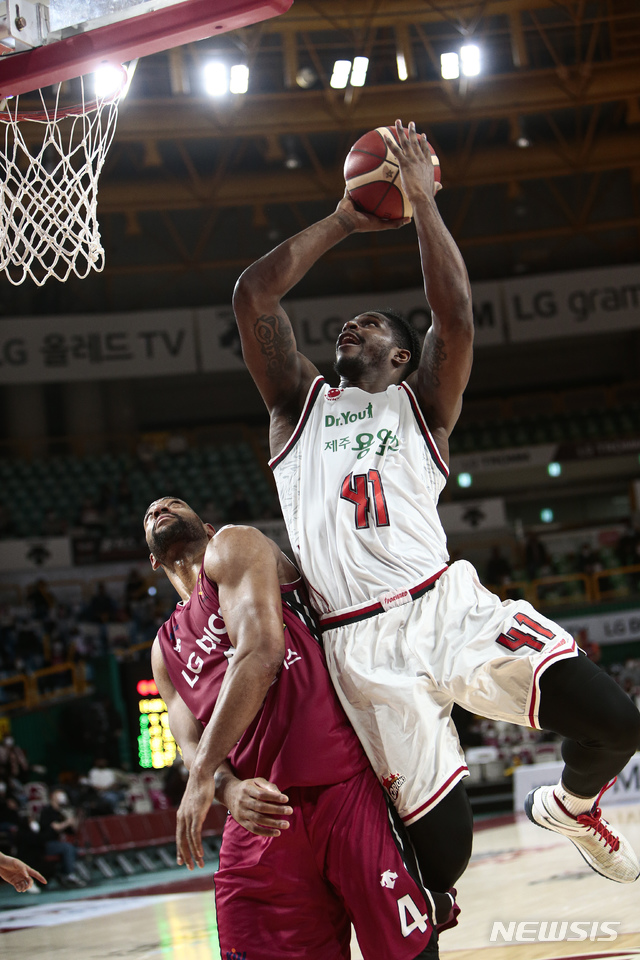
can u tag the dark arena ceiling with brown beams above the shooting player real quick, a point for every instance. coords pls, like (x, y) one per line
(194, 188)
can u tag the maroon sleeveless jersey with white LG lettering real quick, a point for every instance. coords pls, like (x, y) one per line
(301, 736)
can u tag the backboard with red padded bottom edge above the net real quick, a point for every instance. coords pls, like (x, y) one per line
(47, 41)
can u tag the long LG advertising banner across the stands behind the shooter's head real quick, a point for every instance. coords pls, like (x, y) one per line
(161, 343)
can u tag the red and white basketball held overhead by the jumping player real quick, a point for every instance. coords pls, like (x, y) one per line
(372, 176)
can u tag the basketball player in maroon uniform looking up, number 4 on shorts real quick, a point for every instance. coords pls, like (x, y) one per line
(243, 678)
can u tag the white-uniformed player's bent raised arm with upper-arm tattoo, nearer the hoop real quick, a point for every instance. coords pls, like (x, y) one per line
(282, 374)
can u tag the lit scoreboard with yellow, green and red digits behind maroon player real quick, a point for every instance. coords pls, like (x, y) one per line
(153, 746)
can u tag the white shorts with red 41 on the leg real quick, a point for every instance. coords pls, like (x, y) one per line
(399, 673)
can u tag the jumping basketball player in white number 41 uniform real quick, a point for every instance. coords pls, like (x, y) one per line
(359, 470)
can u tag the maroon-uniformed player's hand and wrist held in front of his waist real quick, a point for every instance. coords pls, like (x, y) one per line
(256, 804)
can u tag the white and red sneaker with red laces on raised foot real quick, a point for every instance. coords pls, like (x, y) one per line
(602, 846)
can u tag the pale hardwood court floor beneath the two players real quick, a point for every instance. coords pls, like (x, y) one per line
(518, 873)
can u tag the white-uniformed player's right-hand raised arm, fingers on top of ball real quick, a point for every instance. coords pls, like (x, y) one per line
(446, 358)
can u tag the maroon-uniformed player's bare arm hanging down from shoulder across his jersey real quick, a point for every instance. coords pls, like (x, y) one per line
(242, 562)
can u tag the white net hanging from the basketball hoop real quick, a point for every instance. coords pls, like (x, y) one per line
(50, 162)
